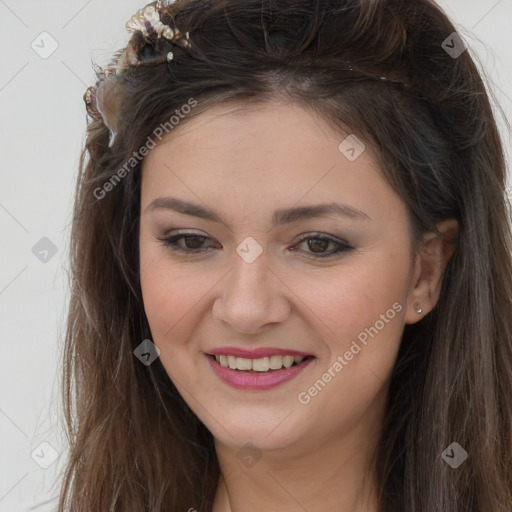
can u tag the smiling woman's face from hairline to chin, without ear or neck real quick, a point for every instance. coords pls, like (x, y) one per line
(266, 274)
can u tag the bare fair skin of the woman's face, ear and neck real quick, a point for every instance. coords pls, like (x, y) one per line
(244, 163)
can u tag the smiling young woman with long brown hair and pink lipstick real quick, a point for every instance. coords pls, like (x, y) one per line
(291, 264)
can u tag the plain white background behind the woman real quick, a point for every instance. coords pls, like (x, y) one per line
(42, 130)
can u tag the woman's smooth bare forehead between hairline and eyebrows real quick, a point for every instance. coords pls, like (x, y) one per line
(244, 159)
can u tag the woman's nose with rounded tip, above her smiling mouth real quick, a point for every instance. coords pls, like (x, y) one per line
(252, 297)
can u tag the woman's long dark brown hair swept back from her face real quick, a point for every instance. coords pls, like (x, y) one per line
(380, 68)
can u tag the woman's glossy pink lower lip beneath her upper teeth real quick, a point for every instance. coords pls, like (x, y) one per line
(254, 381)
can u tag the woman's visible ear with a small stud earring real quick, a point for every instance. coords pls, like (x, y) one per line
(430, 262)
